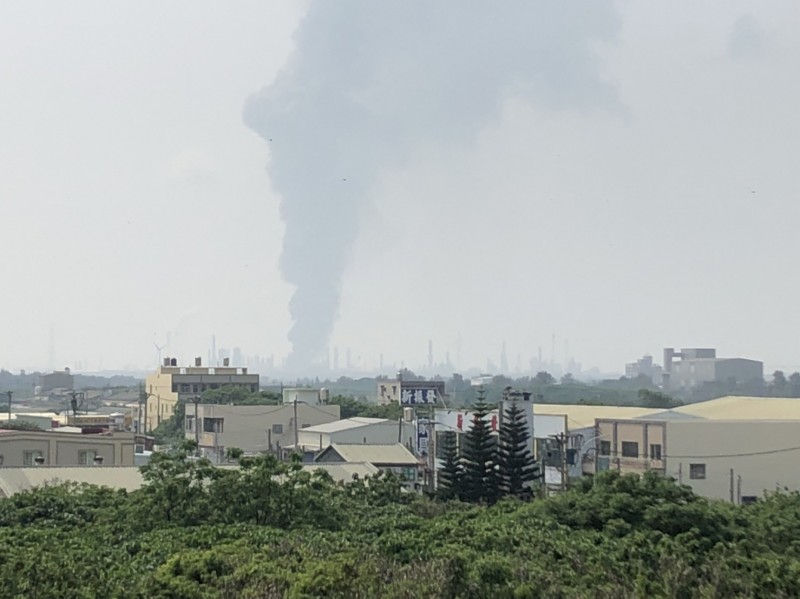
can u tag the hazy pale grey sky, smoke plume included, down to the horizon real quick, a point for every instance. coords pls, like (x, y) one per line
(626, 182)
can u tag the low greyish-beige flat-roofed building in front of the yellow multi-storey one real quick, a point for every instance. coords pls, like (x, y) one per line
(253, 429)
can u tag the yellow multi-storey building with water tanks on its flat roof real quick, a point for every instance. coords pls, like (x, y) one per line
(172, 383)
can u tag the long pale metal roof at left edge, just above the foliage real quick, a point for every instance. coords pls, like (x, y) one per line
(15, 480)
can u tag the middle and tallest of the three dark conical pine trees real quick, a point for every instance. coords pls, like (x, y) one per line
(480, 457)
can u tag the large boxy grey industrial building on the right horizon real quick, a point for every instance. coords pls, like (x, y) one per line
(701, 365)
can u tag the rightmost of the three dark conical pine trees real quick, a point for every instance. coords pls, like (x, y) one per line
(517, 467)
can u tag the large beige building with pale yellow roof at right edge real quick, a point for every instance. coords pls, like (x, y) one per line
(732, 448)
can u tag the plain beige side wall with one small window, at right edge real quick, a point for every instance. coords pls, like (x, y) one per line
(723, 445)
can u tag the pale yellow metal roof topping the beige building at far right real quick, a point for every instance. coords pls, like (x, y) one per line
(744, 408)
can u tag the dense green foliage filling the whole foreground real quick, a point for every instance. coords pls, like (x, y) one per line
(269, 529)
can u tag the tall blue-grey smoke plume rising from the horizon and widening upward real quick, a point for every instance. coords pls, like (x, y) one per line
(368, 80)
